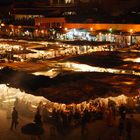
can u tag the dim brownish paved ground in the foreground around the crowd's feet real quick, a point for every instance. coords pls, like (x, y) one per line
(96, 129)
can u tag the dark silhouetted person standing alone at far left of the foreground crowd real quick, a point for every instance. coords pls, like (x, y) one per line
(14, 118)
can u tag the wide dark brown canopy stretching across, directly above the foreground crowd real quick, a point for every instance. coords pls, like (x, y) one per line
(72, 87)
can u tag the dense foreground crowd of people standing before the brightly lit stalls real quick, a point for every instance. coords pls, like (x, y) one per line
(64, 121)
